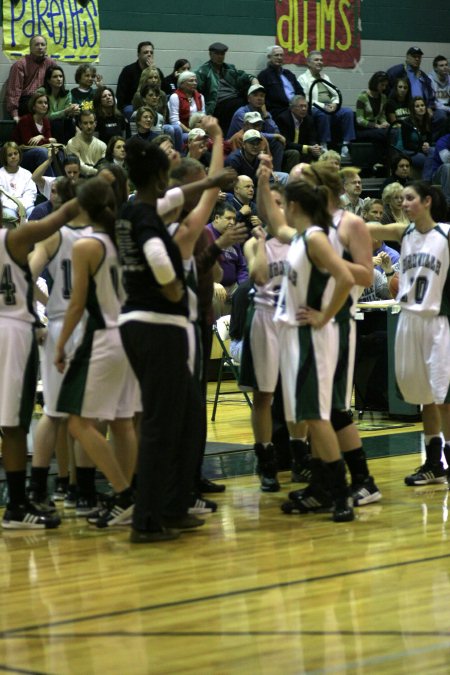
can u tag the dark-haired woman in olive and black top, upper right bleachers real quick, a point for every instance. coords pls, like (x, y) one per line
(371, 121)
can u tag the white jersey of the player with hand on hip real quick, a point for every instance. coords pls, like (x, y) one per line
(303, 284)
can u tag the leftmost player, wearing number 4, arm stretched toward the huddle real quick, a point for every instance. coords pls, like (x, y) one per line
(18, 355)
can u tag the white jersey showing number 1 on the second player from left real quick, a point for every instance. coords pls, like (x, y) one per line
(60, 271)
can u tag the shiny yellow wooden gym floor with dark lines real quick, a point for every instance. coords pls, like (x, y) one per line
(253, 591)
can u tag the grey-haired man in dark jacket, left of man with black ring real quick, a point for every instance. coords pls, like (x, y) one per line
(279, 83)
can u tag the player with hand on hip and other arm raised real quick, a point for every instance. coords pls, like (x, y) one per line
(308, 336)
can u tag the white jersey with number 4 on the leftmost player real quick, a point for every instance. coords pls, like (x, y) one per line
(16, 286)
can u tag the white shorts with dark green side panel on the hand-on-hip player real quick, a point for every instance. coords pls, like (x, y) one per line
(308, 360)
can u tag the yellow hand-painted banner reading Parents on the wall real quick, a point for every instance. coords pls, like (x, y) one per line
(71, 28)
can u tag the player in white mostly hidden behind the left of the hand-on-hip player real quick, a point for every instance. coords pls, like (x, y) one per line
(260, 360)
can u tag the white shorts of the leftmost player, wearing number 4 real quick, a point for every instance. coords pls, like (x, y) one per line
(18, 367)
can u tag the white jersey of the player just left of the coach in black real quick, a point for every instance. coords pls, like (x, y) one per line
(105, 293)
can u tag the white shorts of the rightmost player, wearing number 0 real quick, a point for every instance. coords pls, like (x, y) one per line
(422, 358)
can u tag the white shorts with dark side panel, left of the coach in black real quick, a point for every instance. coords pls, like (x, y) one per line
(99, 382)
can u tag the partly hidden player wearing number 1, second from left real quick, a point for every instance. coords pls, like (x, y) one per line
(55, 254)
